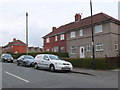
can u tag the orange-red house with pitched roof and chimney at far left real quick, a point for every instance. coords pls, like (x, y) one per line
(16, 46)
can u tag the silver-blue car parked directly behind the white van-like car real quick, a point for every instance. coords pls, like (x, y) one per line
(25, 60)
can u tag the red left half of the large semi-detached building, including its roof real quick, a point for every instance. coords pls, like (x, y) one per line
(55, 40)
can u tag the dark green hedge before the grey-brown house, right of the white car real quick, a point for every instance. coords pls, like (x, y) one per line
(100, 63)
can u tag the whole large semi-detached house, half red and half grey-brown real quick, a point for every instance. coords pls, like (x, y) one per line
(75, 37)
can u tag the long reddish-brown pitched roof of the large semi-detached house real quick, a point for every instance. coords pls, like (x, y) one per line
(100, 17)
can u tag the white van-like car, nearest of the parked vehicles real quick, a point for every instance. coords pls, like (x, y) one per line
(51, 62)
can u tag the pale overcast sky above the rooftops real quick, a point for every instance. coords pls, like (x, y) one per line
(43, 15)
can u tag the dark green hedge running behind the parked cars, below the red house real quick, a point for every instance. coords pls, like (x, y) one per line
(60, 54)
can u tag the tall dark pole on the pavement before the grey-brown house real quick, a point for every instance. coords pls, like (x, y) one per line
(93, 49)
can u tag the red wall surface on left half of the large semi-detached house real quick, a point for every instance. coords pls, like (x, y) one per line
(53, 43)
